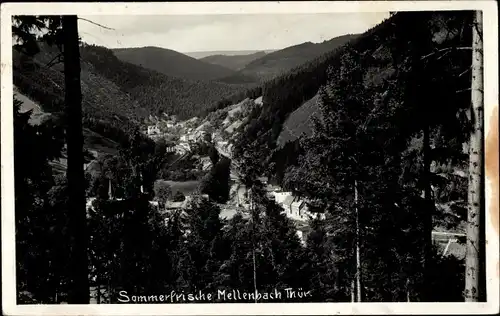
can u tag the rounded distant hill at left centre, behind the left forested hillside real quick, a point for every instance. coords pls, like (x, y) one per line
(175, 64)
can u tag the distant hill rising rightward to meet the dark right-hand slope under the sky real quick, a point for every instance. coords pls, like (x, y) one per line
(283, 60)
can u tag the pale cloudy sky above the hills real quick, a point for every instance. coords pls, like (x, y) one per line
(223, 32)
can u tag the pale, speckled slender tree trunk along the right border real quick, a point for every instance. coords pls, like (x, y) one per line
(474, 246)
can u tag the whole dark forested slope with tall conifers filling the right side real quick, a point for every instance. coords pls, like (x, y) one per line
(386, 159)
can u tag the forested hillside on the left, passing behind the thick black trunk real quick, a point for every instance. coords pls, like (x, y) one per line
(115, 93)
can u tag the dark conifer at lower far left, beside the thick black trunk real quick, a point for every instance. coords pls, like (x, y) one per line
(41, 215)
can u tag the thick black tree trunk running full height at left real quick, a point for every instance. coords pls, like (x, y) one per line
(75, 173)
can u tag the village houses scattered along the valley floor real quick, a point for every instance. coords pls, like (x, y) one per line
(219, 129)
